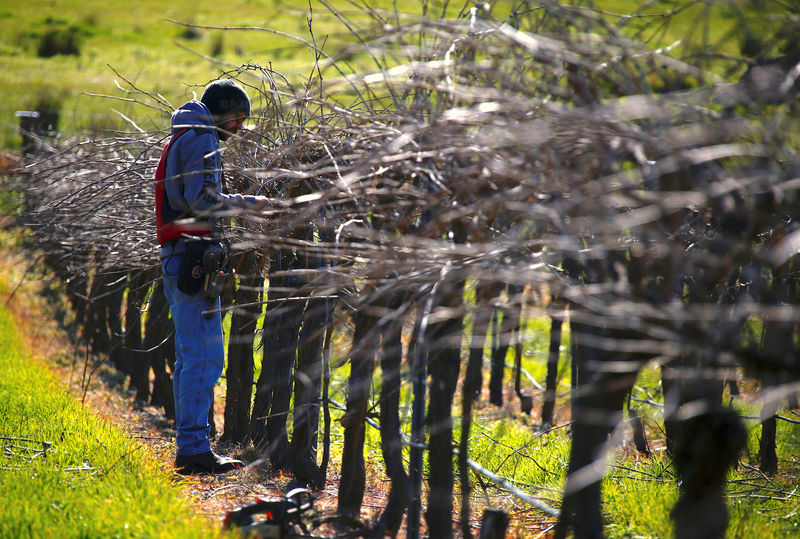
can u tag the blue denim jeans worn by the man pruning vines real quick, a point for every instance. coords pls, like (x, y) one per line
(199, 358)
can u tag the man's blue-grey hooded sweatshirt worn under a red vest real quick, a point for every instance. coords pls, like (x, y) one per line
(193, 175)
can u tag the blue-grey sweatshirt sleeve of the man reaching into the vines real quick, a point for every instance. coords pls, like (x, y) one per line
(201, 166)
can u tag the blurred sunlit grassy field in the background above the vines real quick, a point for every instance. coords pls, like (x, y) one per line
(60, 55)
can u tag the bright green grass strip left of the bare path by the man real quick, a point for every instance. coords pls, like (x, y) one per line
(66, 473)
